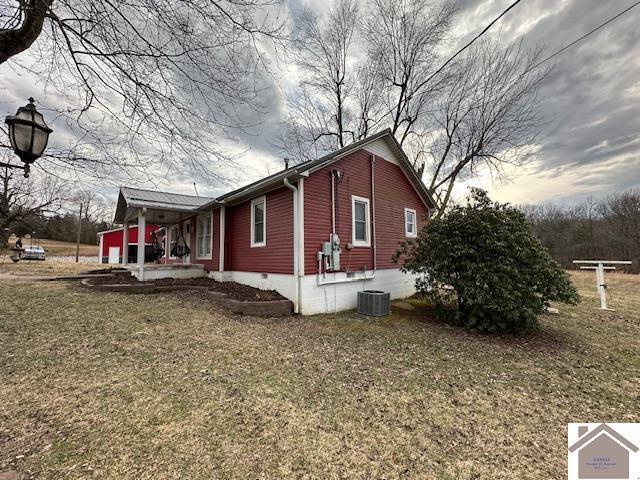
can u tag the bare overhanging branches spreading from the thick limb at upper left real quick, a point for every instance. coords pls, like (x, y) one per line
(160, 83)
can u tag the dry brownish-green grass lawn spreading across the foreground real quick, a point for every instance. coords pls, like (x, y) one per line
(101, 385)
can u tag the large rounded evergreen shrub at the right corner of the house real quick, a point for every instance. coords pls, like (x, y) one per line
(484, 269)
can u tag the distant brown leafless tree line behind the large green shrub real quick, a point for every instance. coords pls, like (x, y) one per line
(608, 228)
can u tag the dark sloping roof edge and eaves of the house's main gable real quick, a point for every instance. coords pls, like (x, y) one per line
(303, 169)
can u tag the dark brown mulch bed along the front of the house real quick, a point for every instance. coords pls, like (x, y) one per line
(232, 290)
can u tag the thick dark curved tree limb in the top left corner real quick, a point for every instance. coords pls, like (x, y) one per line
(13, 42)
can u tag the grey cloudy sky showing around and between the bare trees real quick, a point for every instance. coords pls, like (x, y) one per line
(591, 102)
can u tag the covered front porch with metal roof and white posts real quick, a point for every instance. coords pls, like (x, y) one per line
(137, 207)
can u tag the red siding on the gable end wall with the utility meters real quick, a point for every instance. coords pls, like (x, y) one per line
(393, 194)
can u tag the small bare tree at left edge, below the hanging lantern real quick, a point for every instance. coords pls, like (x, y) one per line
(23, 199)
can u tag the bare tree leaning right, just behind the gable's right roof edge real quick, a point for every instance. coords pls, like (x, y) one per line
(488, 118)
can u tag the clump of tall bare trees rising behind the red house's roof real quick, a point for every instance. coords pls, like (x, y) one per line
(478, 113)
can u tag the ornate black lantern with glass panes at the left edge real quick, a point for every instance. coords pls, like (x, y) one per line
(28, 134)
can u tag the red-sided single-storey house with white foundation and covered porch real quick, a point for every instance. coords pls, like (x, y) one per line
(317, 232)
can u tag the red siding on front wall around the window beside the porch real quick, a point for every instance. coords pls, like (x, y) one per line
(277, 255)
